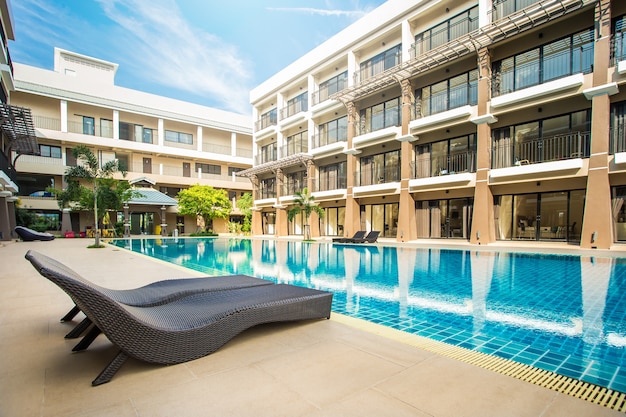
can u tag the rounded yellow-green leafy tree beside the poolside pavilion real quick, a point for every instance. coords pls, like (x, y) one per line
(205, 202)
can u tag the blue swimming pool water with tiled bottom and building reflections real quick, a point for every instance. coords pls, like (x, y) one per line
(561, 313)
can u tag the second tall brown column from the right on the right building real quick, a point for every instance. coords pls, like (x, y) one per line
(483, 227)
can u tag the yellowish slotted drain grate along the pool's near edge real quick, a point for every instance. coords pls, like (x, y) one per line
(596, 394)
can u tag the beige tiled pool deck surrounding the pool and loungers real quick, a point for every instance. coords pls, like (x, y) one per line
(313, 368)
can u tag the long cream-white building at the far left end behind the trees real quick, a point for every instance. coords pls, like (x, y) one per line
(166, 145)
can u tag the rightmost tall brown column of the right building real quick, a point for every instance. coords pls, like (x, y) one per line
(597, 229)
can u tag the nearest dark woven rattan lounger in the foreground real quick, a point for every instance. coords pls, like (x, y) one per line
(188, 328)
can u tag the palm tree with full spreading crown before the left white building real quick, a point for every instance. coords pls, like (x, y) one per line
(92, 186)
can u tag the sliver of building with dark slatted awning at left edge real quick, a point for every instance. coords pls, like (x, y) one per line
(17, 135)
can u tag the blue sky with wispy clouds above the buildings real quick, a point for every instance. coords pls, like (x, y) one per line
(207, 52)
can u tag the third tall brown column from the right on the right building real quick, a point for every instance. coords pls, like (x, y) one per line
(407, 223)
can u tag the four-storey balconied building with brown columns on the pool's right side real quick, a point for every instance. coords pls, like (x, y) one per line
(483, 120)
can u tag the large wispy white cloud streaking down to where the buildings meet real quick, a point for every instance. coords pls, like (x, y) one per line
(161, 46)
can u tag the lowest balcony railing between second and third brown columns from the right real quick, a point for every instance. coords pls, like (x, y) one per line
(455, 163)
